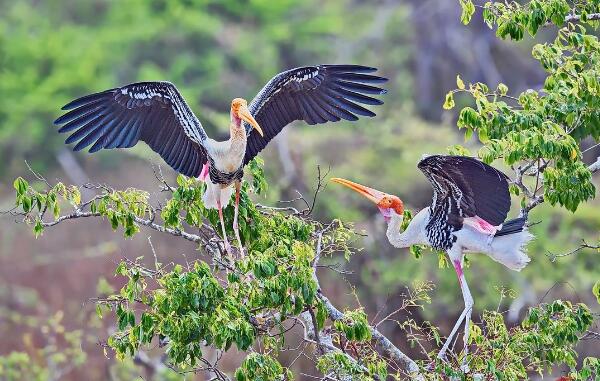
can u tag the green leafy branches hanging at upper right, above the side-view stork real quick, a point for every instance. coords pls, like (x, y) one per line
(542, 128)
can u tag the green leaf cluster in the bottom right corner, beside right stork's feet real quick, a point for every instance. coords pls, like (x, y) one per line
(546, 338)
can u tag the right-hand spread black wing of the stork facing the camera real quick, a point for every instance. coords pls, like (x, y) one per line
(315, 94)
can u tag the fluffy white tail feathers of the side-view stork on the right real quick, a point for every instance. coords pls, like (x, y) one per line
(509, 248)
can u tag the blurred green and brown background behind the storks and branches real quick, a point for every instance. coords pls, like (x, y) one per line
(214, 50)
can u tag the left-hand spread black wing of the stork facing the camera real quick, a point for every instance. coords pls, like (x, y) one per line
(153, 112)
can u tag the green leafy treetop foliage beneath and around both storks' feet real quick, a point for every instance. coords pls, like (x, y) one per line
(250, 303)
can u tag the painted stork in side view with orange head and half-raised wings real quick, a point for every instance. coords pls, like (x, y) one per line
(470, 203)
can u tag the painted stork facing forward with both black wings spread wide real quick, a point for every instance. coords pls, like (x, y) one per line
(157, 114)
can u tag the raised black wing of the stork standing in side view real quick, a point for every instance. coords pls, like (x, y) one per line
(466, 187)
